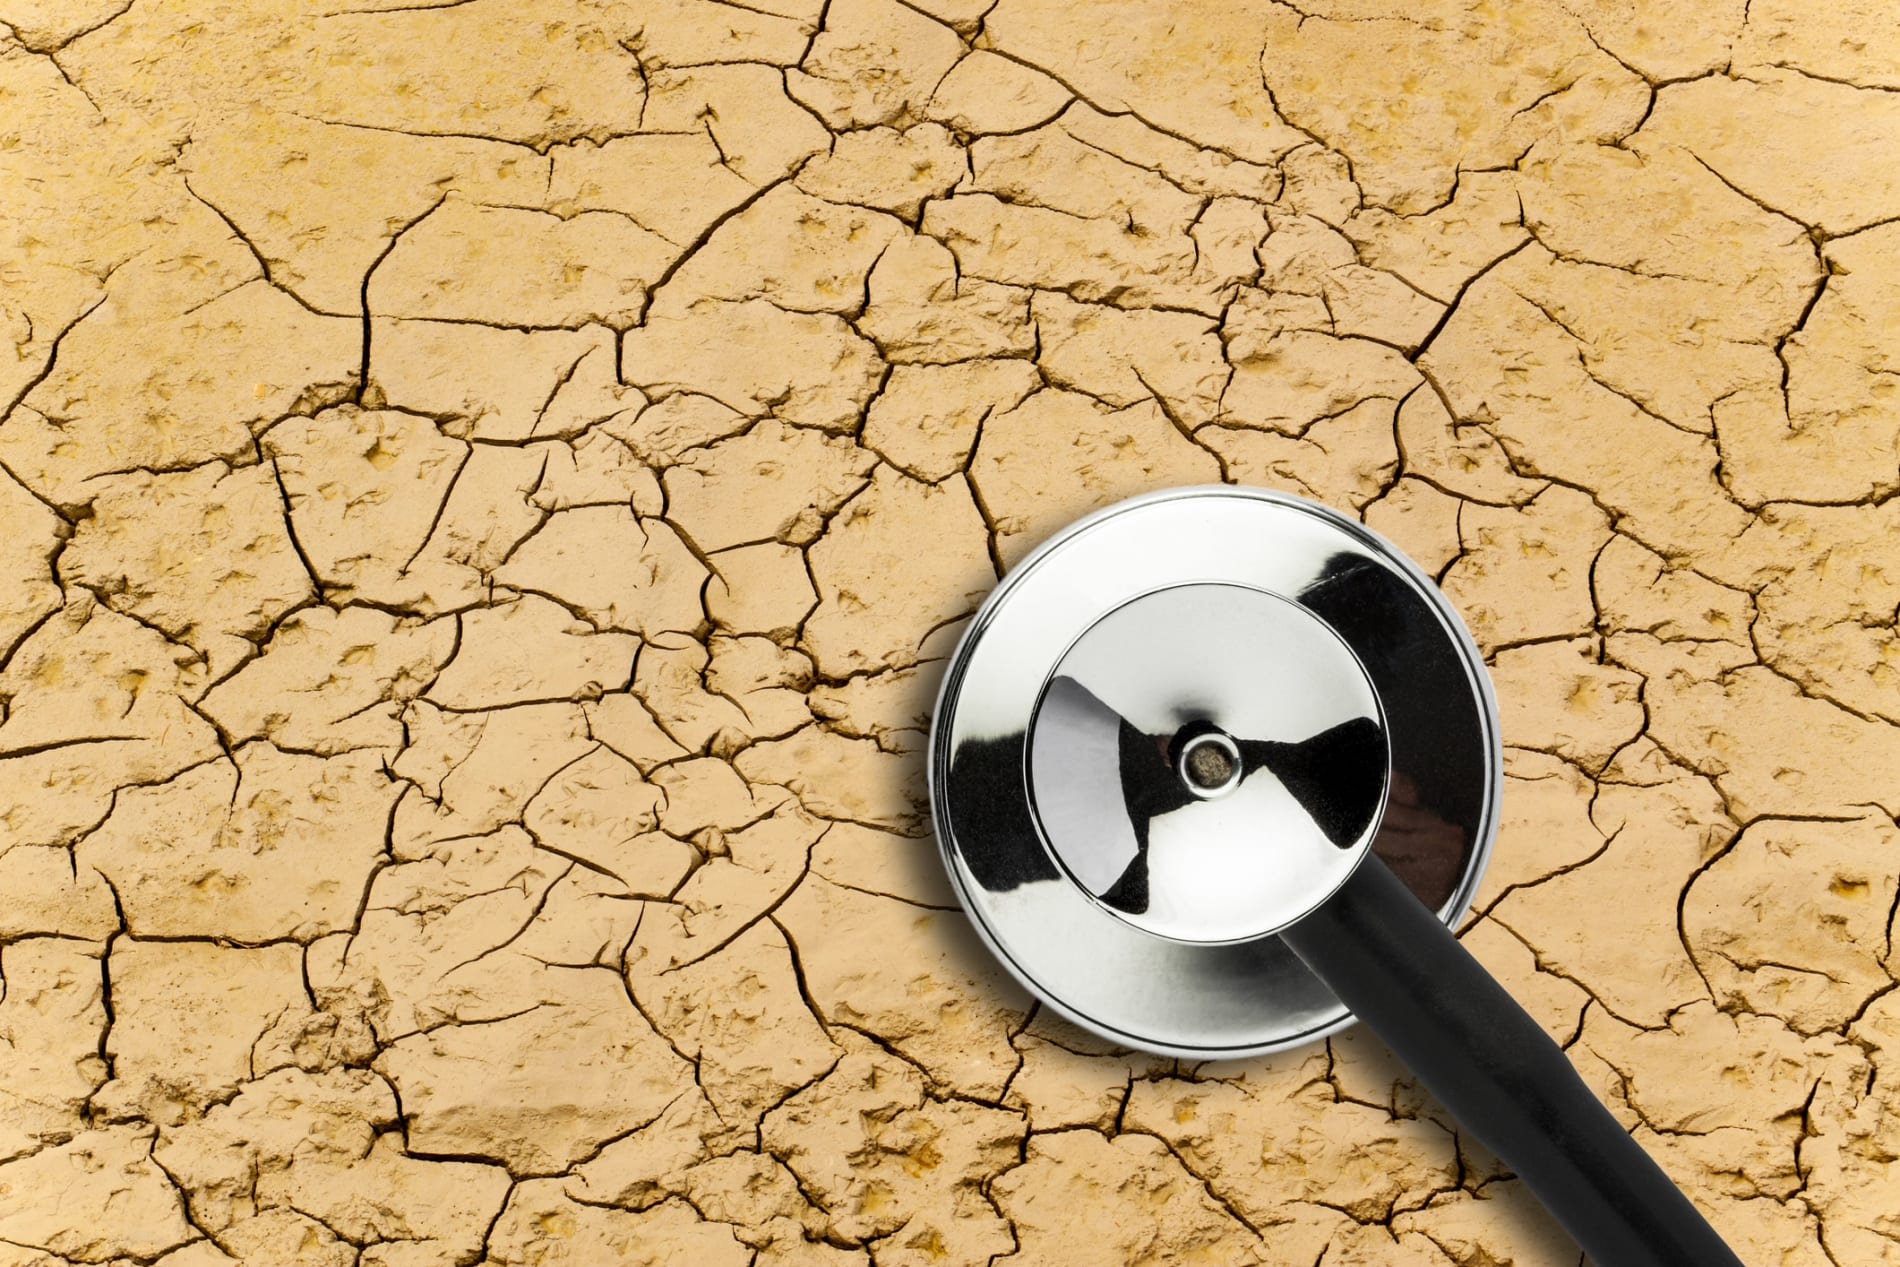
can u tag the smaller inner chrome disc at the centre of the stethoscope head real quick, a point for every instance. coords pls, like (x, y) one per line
(1209, 763)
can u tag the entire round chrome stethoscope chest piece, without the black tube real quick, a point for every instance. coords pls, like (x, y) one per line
(1175, 730)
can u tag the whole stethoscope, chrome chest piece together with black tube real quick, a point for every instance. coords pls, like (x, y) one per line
(1215, 772)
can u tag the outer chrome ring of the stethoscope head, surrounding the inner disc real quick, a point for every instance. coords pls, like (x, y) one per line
(1120, 981)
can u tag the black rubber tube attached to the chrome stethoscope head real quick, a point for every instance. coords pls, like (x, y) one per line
(1500, 1074)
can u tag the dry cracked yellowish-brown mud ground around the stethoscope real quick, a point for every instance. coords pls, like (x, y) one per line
(489, 489)
